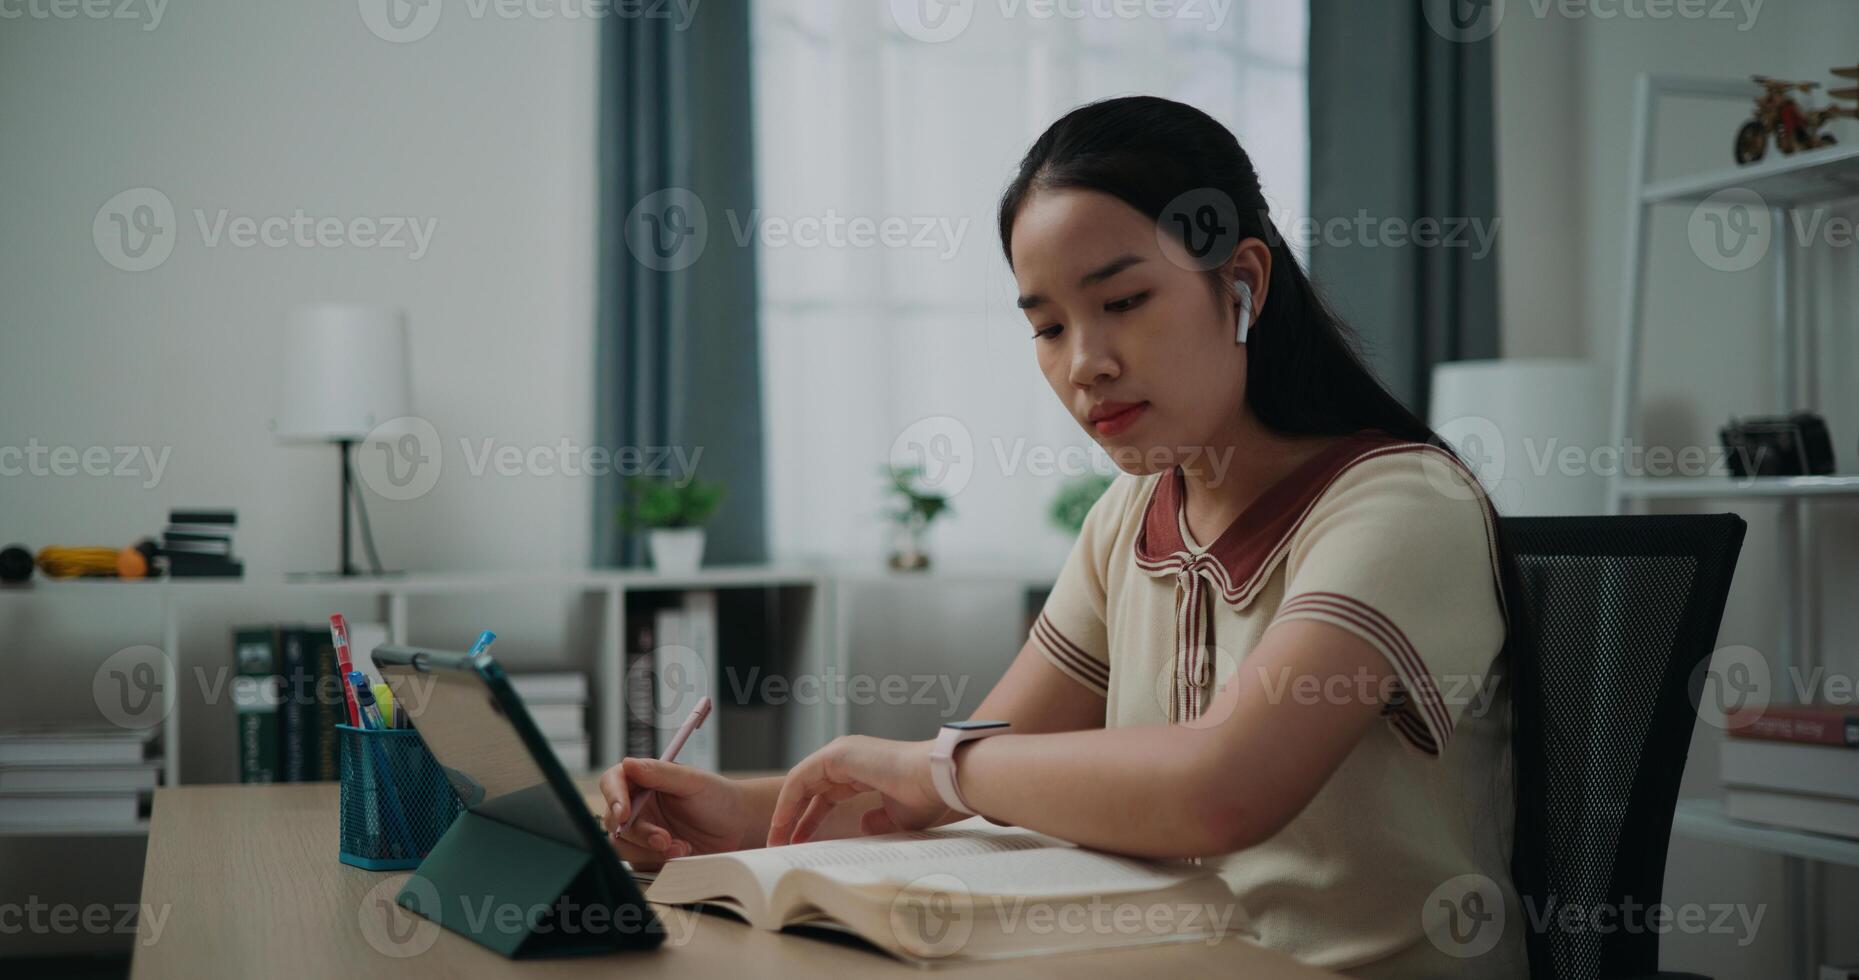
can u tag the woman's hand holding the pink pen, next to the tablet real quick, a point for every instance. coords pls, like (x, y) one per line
(692, 812)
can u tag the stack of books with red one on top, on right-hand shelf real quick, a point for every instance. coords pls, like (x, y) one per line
(1795, 767)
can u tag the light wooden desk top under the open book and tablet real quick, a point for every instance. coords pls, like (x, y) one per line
(244, 882)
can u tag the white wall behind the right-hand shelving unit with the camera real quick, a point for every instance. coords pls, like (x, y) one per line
(1564, 129)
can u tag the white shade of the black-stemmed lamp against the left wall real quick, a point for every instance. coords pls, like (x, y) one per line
(345, 371)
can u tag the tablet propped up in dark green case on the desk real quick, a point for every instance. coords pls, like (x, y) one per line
(503, 771)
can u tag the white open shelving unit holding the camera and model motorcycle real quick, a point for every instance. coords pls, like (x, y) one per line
(1784, 185)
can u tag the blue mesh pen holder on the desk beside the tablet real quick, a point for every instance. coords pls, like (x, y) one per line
(397, 801)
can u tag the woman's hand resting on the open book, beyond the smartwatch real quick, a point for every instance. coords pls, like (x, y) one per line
(852, 765)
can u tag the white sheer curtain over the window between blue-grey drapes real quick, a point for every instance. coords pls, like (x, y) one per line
(864, 129)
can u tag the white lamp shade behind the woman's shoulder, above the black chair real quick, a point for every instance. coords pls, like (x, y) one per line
(1531, 429)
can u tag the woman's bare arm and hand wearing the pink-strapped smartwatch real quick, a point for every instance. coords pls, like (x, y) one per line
(1230, 780)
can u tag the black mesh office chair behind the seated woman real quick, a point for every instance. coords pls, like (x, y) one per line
(1622, 613)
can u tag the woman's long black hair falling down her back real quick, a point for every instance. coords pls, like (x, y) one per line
(1304, 369)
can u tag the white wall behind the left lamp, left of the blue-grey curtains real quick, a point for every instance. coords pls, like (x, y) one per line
(484, 127)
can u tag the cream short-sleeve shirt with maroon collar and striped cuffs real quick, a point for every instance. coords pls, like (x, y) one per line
(1395, 544)
